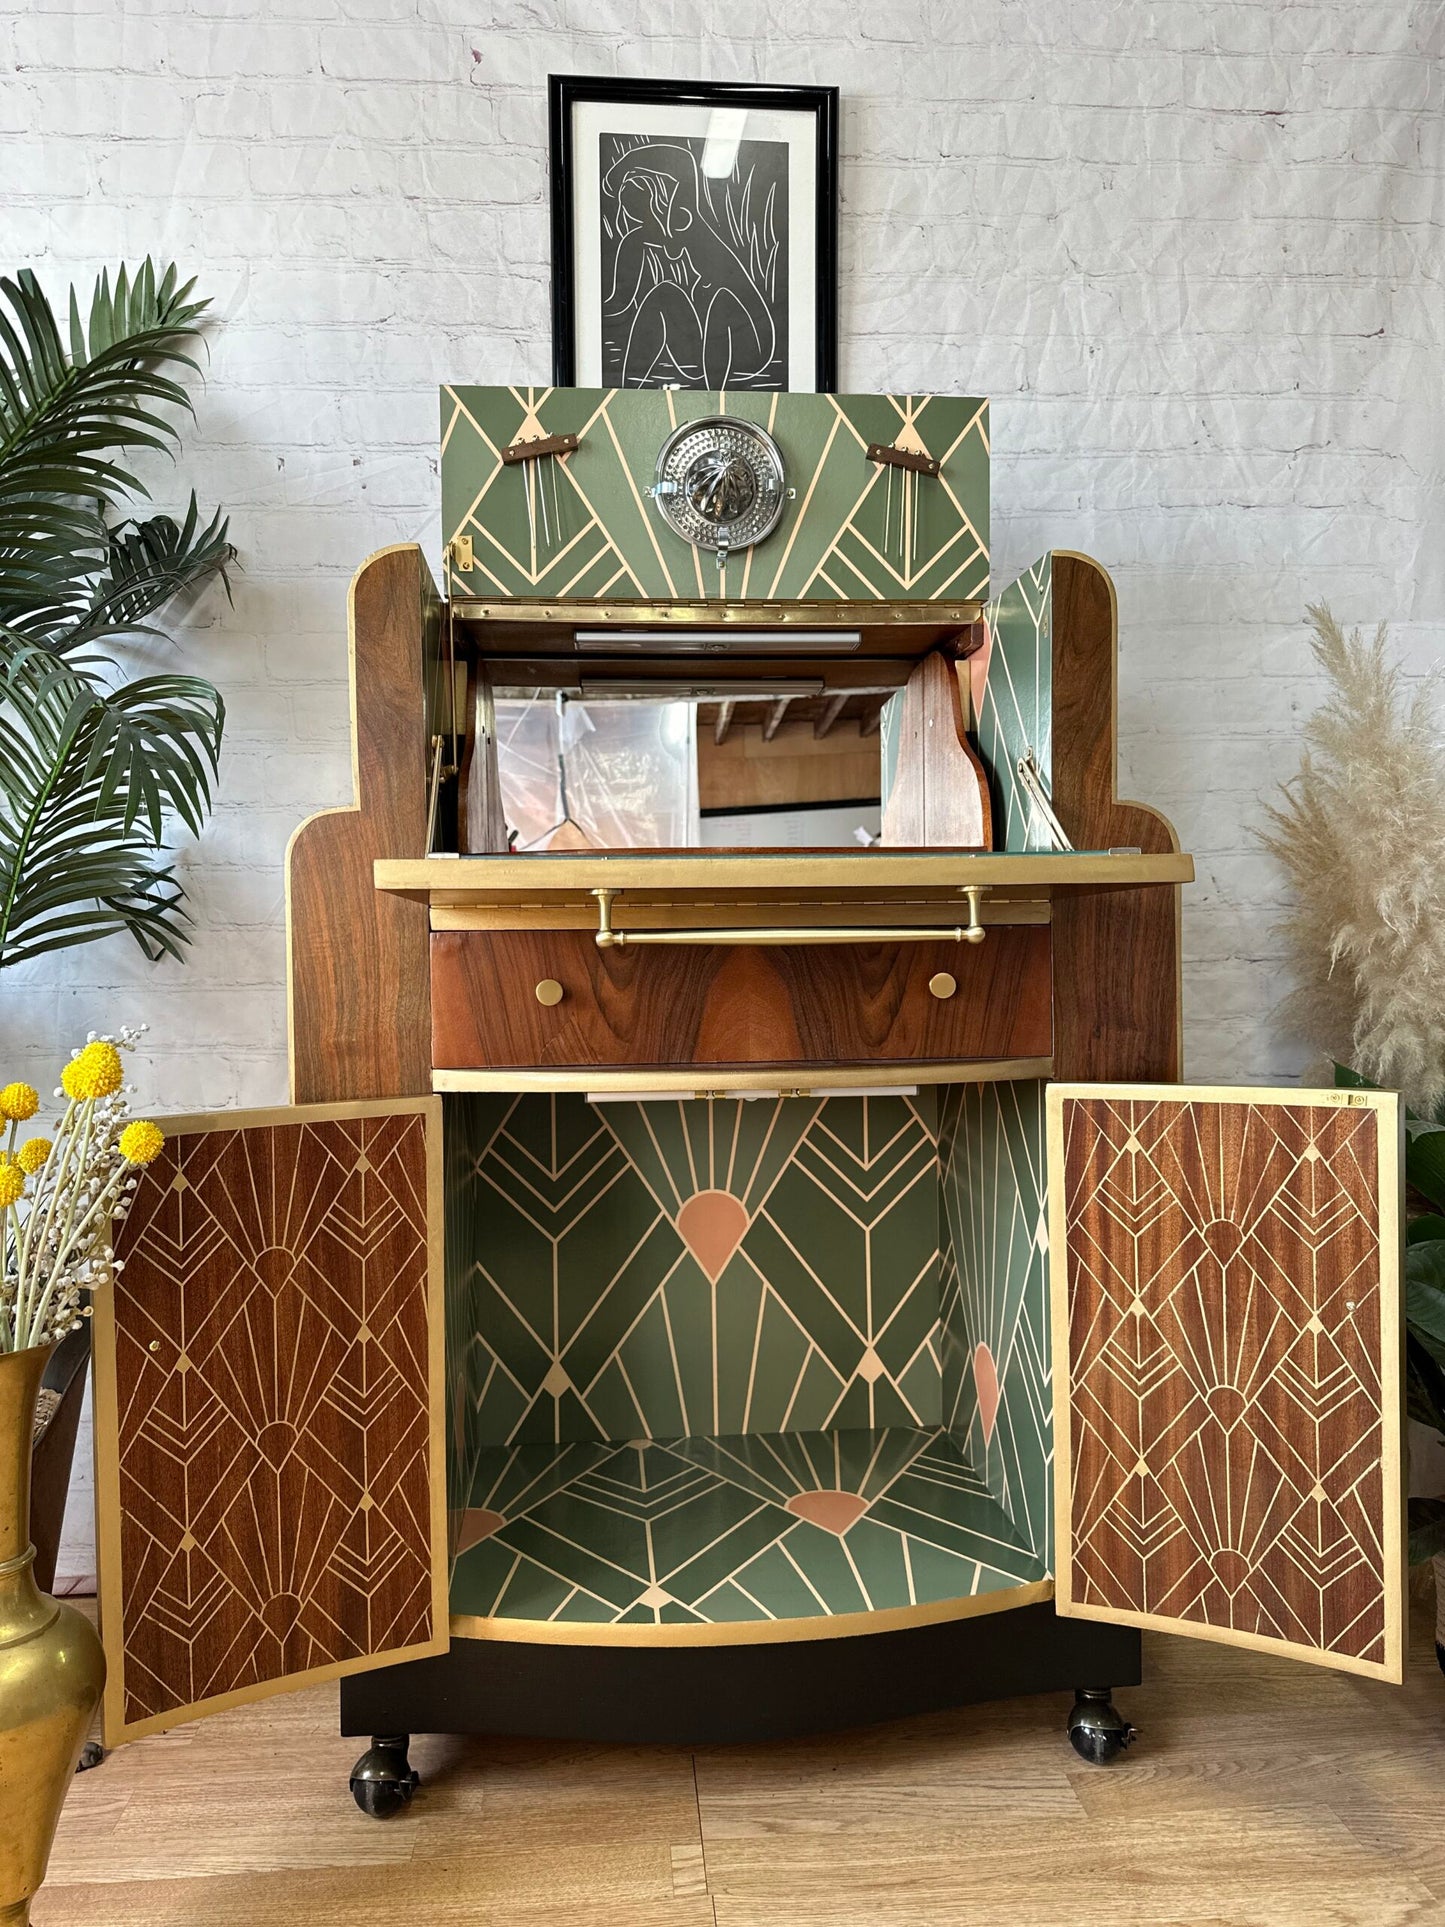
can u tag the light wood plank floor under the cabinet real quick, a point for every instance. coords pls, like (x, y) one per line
(1259, 1795)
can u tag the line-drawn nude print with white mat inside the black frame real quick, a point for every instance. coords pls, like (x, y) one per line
(695, 248)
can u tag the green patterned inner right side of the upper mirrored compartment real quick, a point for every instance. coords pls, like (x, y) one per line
(1012, 704)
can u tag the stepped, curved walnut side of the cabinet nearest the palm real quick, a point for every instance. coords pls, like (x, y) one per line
(359, 1007)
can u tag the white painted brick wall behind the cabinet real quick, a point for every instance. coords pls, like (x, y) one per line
(1192, 250)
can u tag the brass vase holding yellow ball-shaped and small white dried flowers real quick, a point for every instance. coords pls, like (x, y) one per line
(59, 1201)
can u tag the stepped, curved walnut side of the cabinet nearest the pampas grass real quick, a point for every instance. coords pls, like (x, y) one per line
(1117, 953)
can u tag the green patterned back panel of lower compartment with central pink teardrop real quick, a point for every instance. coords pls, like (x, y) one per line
(700, 1267)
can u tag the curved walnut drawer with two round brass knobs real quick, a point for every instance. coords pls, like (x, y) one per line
(735, 1005)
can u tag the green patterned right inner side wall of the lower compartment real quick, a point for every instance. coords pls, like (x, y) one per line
(995, 1296)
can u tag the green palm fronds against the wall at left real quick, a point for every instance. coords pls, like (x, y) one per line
(93, 770)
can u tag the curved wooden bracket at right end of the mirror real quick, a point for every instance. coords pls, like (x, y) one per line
(941, 793)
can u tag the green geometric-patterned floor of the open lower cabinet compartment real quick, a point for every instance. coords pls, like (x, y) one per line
(733, 1529)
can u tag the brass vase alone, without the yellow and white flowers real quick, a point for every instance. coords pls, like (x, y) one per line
(51, 1662)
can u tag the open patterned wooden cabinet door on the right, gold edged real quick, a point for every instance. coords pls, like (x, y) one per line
(1224, 1271)
